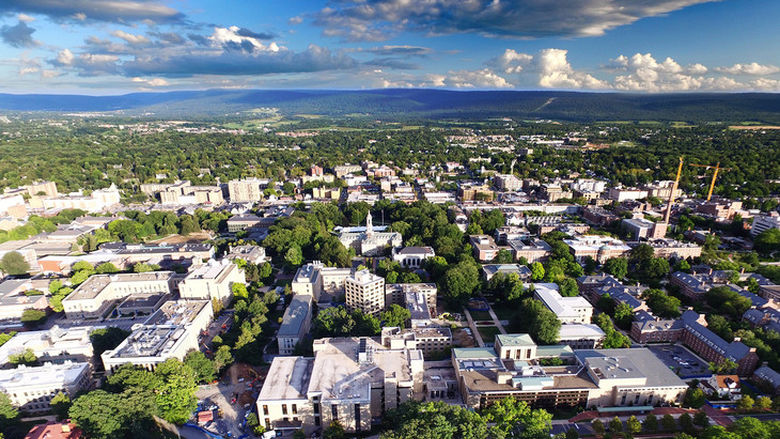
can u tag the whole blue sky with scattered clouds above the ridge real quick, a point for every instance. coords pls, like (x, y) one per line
(104, 47)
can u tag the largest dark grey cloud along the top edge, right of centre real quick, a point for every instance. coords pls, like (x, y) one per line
(376, 20)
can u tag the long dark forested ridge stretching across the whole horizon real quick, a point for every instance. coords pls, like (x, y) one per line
(422, 103)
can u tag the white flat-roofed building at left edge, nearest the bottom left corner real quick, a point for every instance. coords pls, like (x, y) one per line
(32, 388)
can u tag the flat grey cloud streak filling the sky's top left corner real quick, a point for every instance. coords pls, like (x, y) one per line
(118, 11)
